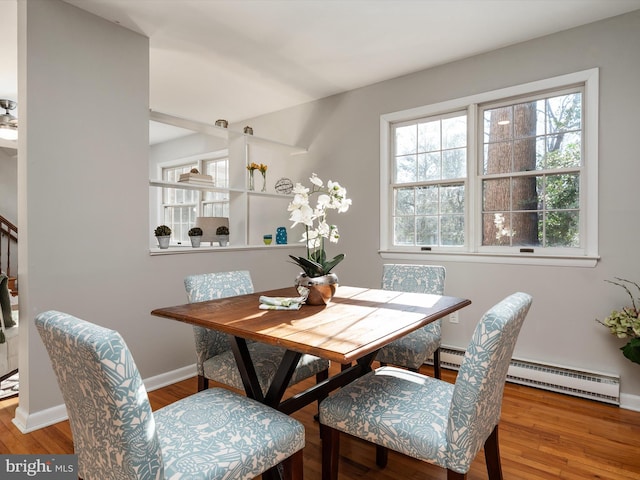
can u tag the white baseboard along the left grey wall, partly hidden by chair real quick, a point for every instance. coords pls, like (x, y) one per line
(27, 422)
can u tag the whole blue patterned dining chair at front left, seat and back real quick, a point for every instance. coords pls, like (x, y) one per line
(213, 434)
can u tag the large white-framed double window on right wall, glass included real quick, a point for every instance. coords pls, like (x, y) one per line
(508, 173)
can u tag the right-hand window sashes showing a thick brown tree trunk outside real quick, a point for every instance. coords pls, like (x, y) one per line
(531, 168)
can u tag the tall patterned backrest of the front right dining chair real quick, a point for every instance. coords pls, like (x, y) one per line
(477, 395)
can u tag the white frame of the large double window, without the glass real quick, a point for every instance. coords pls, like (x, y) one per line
(587, 256)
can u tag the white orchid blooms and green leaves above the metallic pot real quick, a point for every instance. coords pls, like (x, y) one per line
(330, 197)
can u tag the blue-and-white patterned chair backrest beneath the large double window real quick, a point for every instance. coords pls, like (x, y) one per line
(414, 278)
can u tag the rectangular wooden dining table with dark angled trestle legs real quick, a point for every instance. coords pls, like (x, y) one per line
(349, 330)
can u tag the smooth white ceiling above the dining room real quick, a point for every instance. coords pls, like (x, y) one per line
(236, 59)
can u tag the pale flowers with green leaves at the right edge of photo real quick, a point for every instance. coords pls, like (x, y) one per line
(625, 323)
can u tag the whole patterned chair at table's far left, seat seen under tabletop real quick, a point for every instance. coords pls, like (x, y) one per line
(215, 360)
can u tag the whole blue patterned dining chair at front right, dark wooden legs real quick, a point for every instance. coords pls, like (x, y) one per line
(426, 418)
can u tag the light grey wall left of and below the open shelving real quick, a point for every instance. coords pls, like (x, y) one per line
(83, 200)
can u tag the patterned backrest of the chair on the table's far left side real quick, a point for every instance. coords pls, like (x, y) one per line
(210, 286)
